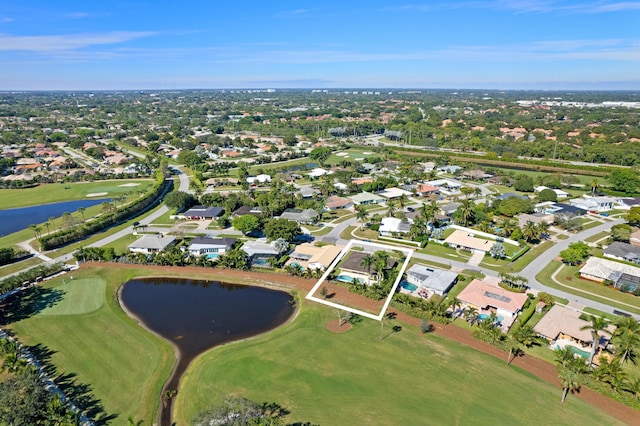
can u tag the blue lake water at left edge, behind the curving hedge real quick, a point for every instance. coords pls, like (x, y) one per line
(14, 220)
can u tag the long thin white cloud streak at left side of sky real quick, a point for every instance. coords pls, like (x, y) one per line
(67, 42)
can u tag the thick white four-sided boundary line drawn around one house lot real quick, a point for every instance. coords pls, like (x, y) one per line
(408, 253)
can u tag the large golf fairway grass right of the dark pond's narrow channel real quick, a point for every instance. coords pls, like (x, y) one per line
(354, 378)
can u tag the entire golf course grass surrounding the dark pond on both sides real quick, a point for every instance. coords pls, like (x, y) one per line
(320, 376)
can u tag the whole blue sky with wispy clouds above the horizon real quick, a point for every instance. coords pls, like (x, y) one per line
(84, 45)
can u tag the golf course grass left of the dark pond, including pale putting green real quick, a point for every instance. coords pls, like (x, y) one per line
(93, 340)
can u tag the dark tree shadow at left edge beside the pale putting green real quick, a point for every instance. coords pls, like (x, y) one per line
(27, 303)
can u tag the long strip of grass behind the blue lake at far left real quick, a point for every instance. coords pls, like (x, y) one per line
(56, 192)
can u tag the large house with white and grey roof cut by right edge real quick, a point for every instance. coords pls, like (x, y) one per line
(620, 275)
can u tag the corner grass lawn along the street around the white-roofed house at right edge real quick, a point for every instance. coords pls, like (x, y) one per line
(572, 284)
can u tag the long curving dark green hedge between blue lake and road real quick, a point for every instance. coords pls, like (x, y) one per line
(66, 236)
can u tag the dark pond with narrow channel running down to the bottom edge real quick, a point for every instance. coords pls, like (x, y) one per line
(197, 315)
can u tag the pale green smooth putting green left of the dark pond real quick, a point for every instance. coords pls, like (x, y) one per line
(81, 296)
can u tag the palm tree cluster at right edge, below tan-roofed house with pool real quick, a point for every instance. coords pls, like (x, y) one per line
(573, 372)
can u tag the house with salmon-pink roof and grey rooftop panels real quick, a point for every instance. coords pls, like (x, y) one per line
(488, 297)
